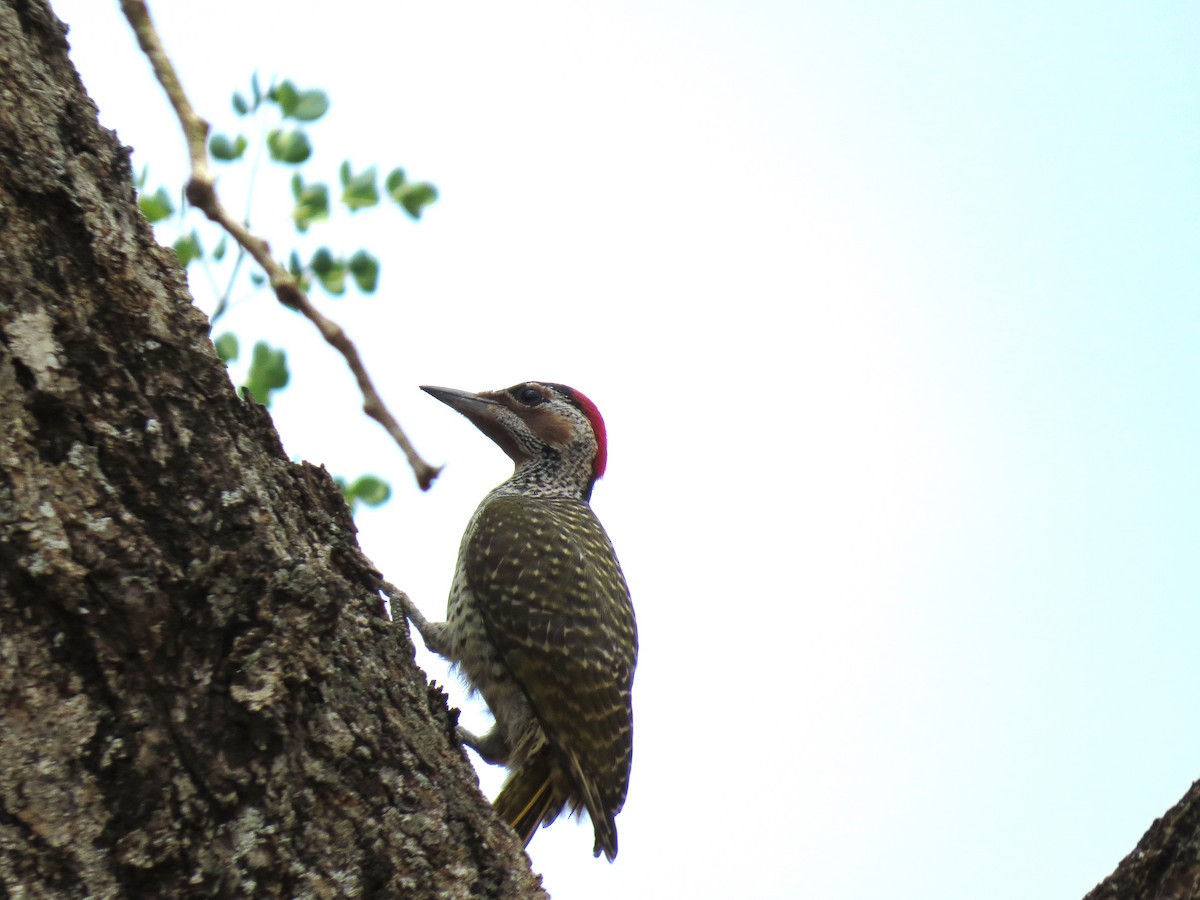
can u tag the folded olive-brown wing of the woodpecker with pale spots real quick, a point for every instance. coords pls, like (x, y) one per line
(559, 611)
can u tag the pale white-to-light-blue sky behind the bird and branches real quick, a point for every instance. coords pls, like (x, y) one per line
(893, 313)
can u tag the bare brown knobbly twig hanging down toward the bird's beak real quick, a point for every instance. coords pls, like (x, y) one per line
(202, 195)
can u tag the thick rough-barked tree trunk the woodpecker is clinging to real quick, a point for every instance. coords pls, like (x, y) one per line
(199, 694)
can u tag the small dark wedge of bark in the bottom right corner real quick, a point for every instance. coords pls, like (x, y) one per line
(1166, 865)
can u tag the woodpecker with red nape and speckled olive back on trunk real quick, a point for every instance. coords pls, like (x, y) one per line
(541, 621)
